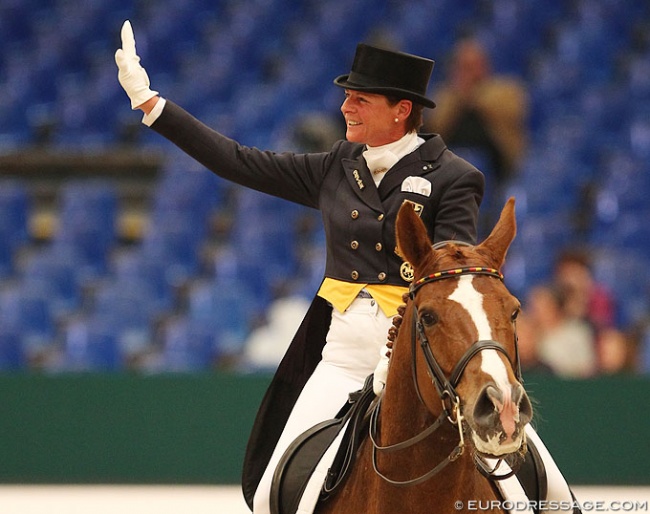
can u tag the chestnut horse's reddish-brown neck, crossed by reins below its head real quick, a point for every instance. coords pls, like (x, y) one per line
(403, 416)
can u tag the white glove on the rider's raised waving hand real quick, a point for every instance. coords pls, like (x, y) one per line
(132, 76)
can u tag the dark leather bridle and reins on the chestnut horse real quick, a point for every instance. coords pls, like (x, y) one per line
(446, 387)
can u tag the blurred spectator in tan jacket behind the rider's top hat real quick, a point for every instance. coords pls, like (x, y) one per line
(479, 110)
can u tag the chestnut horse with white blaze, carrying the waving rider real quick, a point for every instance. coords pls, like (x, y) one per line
(453, 397)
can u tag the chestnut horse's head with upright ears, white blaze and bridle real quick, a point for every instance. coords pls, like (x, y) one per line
(463, 318)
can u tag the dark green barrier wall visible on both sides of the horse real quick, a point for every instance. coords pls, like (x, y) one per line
(192, 429)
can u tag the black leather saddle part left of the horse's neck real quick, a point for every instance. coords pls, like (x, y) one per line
(301, 458)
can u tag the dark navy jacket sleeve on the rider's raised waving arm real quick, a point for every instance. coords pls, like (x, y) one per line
(294, 177)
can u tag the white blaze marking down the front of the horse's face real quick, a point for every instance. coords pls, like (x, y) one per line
(472, 301)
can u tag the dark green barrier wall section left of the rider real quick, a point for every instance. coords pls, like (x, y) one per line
(125, 429)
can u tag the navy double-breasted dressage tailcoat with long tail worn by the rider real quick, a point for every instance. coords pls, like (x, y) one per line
(359, 221)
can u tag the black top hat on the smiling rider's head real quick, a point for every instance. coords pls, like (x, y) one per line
(387, 72)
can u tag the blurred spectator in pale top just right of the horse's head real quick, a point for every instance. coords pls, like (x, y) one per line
(564, 343)
